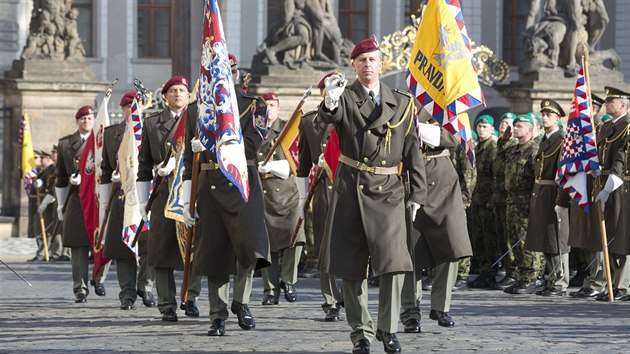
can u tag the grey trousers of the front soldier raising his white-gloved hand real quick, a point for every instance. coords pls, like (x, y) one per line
(355, 293)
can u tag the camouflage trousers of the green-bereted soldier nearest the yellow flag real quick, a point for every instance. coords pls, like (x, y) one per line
(484, 235)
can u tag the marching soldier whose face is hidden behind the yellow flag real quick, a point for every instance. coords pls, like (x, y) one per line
(441, 223)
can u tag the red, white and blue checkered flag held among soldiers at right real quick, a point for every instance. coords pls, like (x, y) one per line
(579, 152)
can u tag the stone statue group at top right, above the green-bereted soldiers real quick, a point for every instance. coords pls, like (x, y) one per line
(553, 41)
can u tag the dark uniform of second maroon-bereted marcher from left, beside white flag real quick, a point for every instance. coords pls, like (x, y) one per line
(126, 268)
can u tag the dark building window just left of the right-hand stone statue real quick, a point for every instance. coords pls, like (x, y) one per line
(514, 15)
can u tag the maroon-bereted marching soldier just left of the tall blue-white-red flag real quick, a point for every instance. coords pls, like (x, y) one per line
(162, 248)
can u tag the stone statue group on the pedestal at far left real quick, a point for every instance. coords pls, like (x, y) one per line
(53, 32)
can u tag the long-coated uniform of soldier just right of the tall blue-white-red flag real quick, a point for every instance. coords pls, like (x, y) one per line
(281, 215)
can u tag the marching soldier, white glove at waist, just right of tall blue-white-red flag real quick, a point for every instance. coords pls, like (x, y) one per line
(282, 211)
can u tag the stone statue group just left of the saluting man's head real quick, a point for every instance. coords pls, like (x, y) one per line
(308, 35)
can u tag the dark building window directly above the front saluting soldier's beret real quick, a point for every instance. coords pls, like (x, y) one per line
(354, 18)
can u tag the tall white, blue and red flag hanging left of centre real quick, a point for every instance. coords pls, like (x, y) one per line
(219, 124)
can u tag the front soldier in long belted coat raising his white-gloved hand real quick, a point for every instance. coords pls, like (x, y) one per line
(376, 133)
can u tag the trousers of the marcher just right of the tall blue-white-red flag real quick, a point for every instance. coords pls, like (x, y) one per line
(283, 268)
